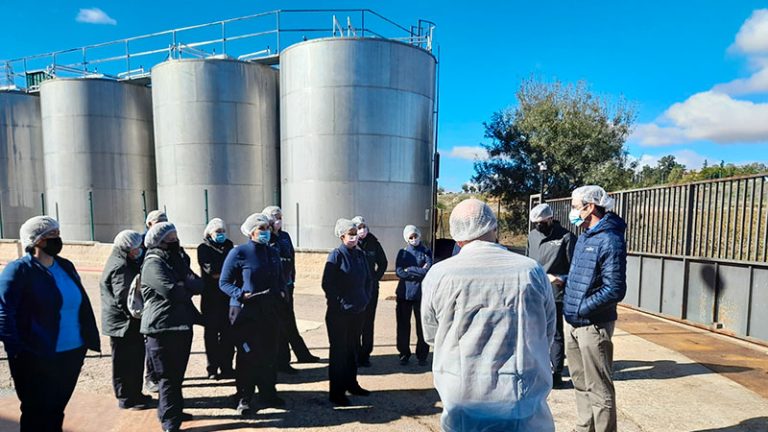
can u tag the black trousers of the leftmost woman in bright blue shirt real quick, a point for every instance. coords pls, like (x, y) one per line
(44, 385)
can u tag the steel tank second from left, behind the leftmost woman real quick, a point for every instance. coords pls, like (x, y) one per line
(99, 156)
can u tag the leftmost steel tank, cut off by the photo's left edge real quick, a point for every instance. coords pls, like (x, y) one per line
(21, 161)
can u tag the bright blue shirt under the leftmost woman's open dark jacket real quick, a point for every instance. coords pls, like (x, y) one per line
(69, 324)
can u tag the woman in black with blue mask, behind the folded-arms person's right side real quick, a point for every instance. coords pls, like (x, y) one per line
(219, 345)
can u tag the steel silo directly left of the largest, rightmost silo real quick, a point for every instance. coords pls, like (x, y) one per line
(216, 130)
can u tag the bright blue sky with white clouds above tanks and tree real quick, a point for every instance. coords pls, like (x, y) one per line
(697, 71)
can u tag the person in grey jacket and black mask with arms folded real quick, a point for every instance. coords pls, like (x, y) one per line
(167, 286)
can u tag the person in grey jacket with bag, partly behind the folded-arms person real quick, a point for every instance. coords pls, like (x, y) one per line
(125, 339)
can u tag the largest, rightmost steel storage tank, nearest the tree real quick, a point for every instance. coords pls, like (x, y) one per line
(356, 138)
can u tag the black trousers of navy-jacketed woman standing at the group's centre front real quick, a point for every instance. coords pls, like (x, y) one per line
(343, 336)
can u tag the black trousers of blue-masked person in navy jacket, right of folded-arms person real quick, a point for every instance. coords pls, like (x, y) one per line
(257, 330)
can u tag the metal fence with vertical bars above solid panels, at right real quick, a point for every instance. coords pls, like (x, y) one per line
(696, 252)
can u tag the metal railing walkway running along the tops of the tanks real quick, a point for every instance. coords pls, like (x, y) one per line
(118, 58)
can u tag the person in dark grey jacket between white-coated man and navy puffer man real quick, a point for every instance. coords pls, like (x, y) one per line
(552, 246)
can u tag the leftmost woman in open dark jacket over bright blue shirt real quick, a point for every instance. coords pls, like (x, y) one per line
(46, 325)
